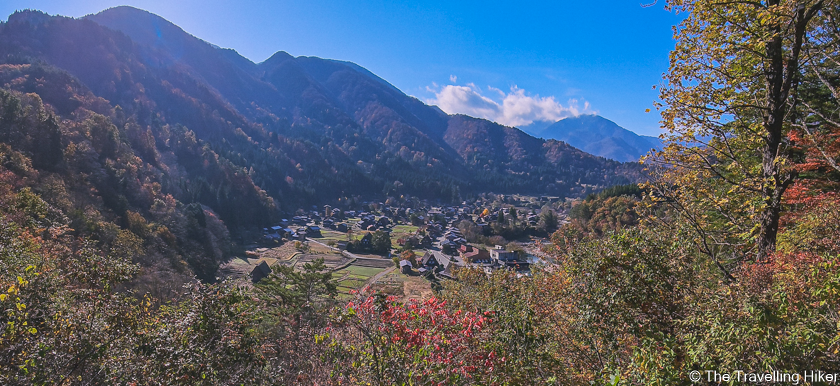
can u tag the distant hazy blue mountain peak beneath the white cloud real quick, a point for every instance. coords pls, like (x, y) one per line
(597, 135)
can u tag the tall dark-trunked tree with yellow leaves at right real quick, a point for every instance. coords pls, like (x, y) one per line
(731, 90)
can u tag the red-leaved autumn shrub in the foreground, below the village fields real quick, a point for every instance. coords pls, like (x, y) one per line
(381, 341)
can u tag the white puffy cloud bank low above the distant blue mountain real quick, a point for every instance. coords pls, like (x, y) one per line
(515, 108)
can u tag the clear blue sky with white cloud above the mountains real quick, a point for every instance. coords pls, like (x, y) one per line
(512, 62)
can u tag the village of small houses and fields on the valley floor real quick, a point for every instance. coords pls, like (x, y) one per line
(406, 250)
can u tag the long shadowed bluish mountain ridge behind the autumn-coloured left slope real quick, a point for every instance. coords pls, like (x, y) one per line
(304, 129)
